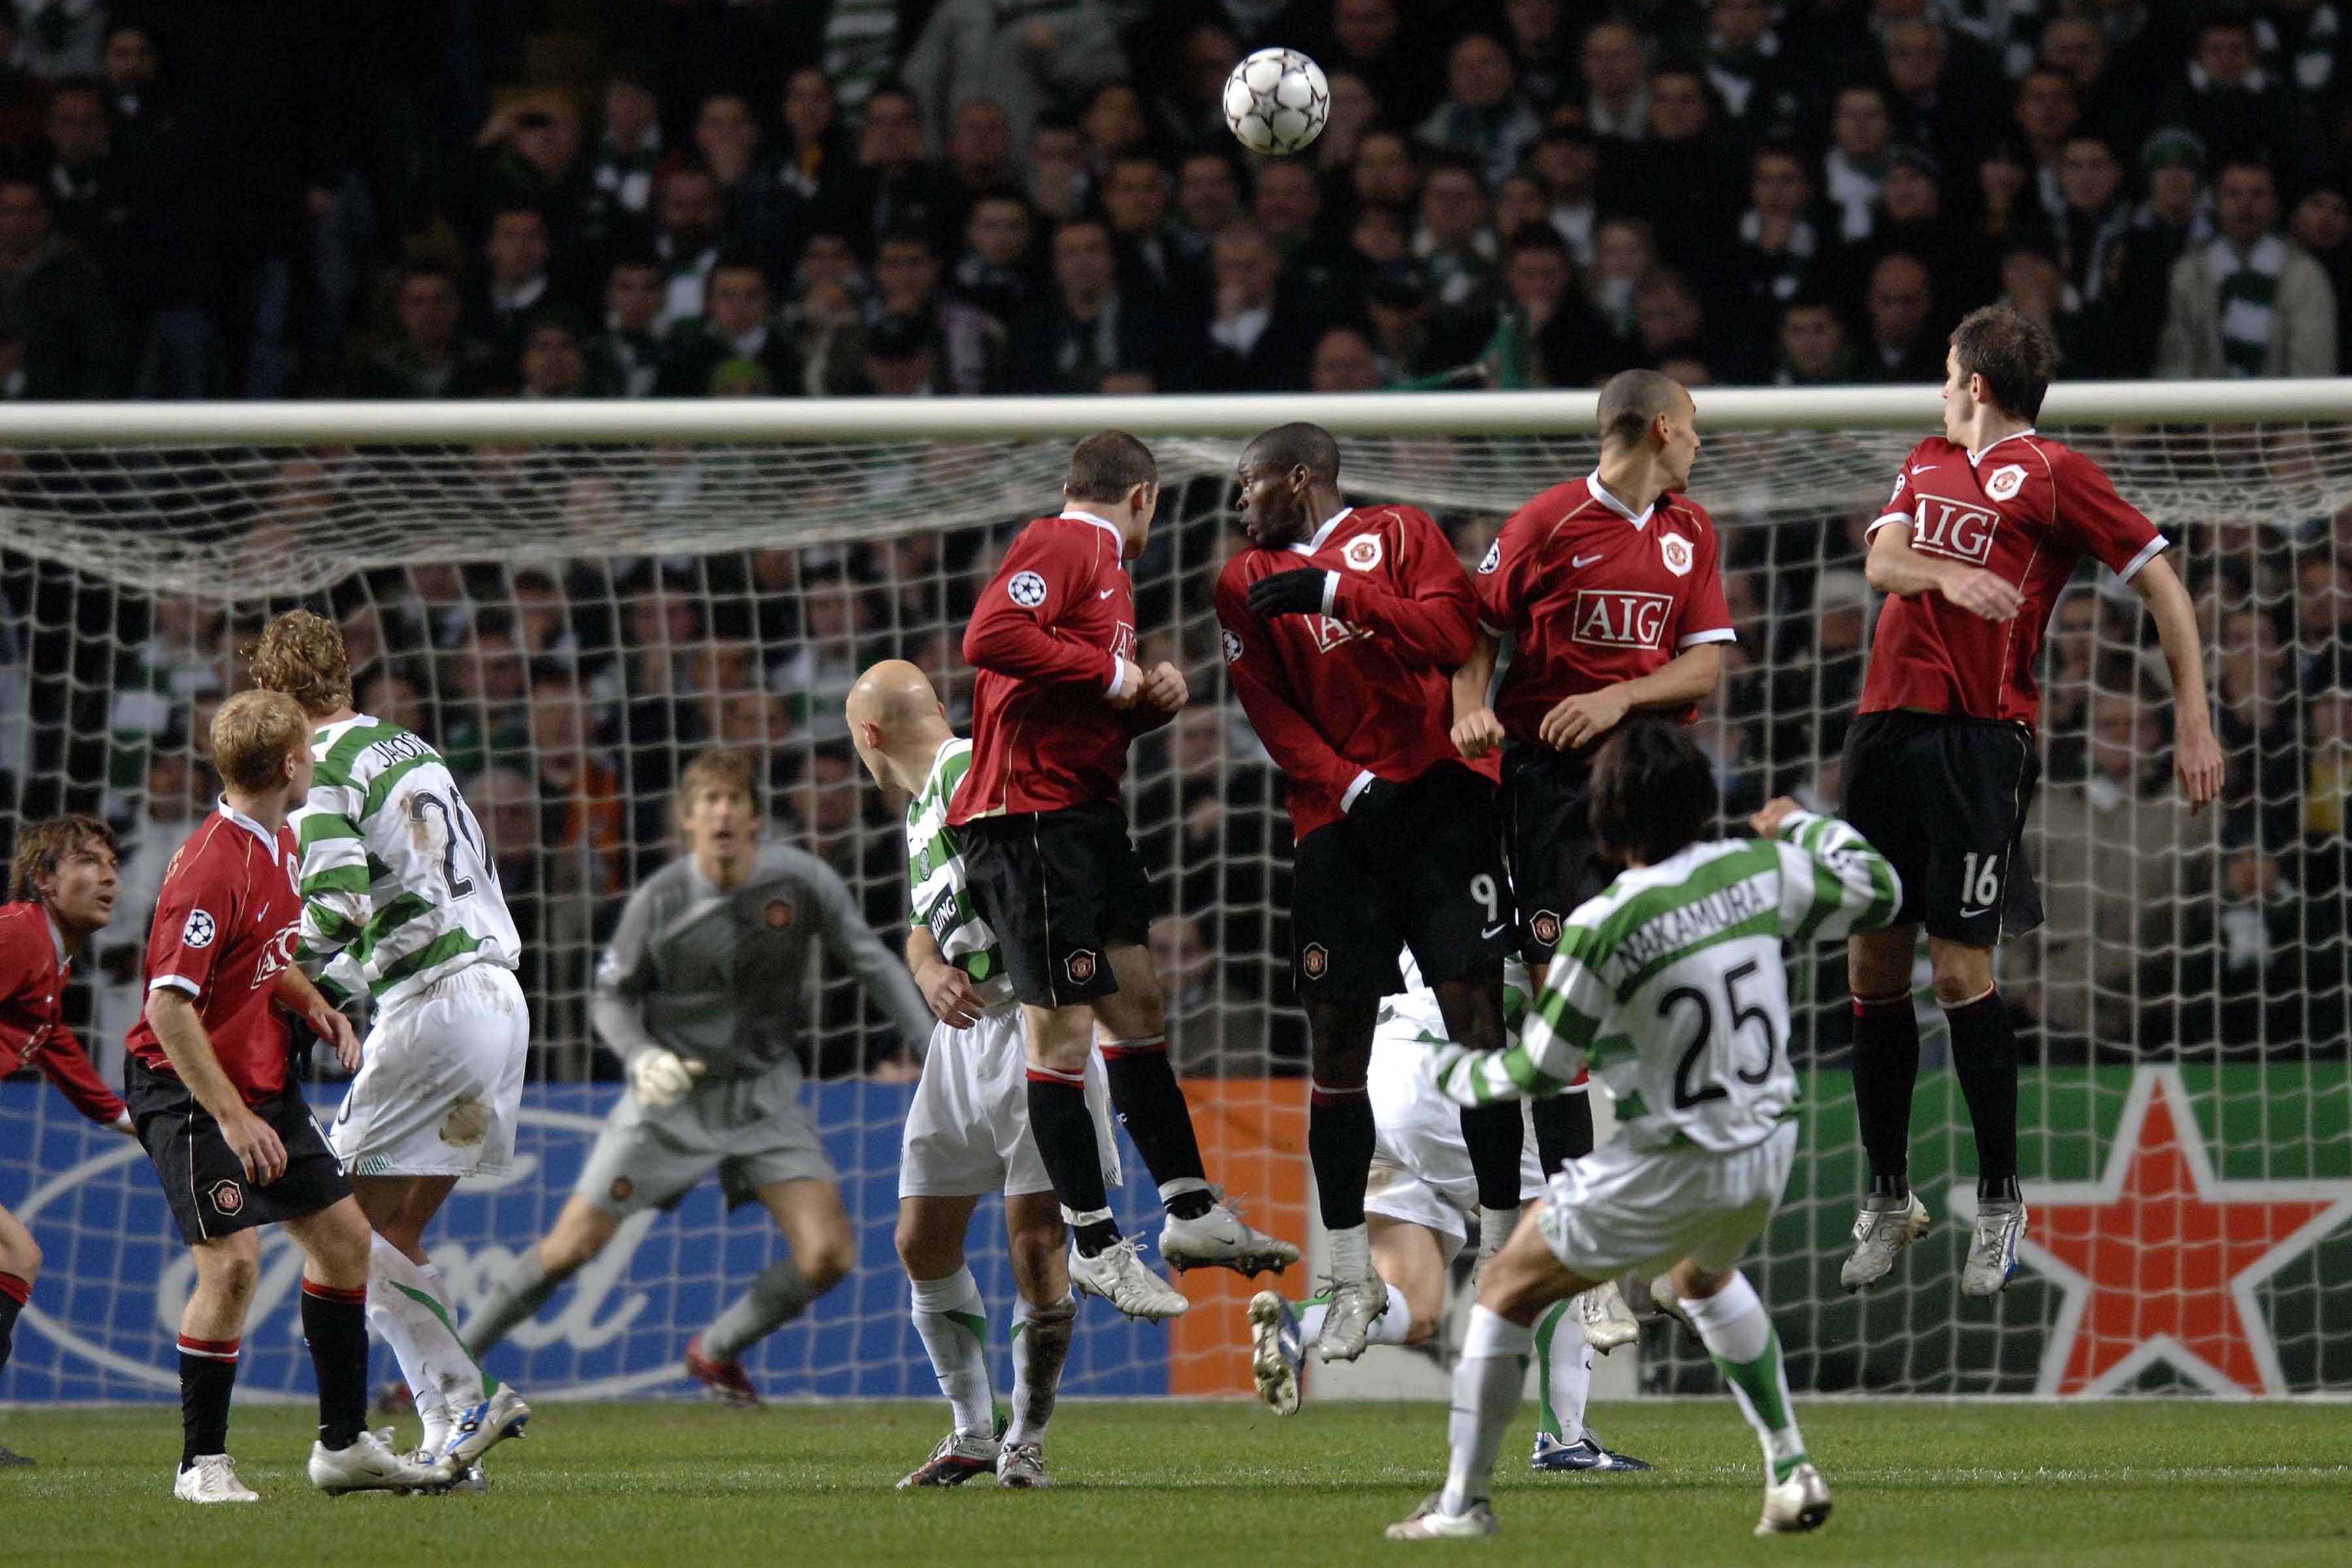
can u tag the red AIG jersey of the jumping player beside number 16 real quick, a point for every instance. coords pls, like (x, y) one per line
(1593, 594)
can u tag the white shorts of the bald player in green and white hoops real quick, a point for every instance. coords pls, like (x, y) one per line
(968, 1127)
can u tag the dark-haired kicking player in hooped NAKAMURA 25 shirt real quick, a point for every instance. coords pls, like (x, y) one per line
(1671, 986)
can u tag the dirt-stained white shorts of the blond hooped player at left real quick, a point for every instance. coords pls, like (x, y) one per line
(441, 1080)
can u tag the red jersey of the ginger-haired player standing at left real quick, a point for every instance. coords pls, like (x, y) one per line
(225, 927)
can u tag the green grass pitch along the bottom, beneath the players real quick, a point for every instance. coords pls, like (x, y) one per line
(2127, 1485)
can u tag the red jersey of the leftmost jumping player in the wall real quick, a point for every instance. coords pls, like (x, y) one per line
(1048, 638)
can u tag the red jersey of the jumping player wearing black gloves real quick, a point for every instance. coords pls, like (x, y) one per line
(1363, 690)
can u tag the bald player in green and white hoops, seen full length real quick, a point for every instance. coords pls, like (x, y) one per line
(968, 1127)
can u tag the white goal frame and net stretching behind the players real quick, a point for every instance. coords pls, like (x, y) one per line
(570, 603)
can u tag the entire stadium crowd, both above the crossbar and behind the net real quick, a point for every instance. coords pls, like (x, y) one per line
(1008, 196)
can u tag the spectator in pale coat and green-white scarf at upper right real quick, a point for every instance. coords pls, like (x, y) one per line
(2252, 302)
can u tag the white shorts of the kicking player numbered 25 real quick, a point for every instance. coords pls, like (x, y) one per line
(1648, 1209)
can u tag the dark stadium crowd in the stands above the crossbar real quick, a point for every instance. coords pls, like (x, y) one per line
(707, 199)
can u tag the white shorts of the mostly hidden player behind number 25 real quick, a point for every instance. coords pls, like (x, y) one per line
(1419, 1162)
